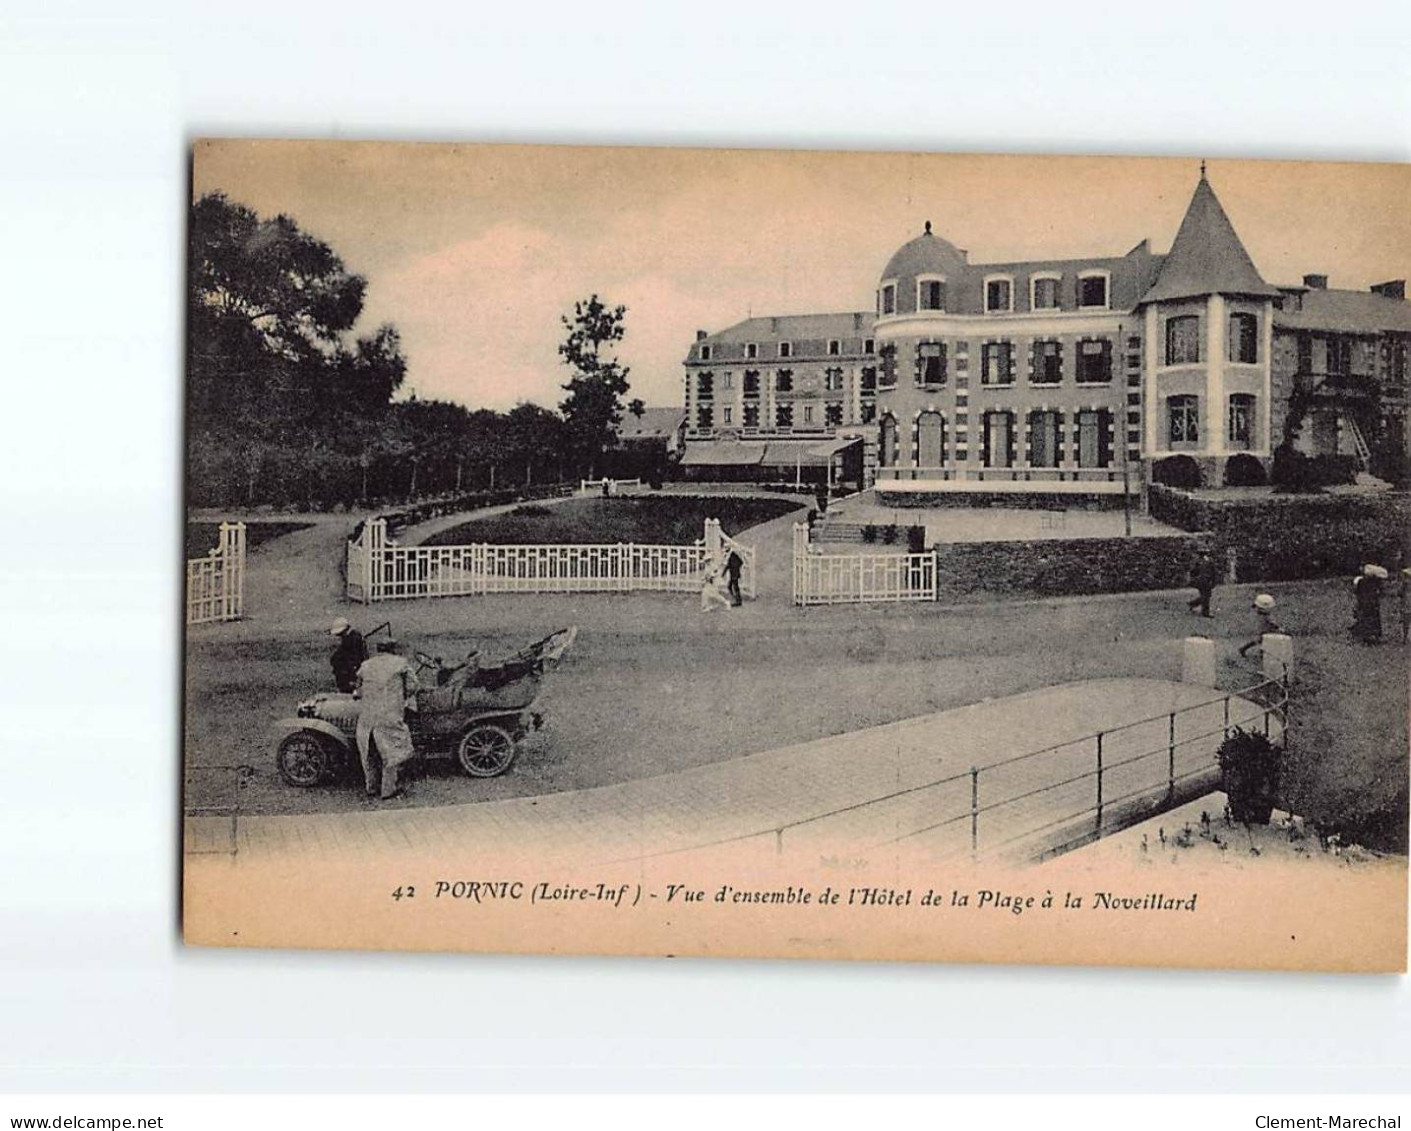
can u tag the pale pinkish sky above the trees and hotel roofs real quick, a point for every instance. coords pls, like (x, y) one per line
(476, 252)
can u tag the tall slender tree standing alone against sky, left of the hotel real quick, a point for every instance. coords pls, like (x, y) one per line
(593, 408)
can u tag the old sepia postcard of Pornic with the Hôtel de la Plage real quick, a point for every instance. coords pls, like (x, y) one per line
(797, 555)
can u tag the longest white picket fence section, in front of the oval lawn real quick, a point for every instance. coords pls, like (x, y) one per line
(382, 570)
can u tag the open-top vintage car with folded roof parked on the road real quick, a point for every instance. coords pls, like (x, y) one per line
(475, 711)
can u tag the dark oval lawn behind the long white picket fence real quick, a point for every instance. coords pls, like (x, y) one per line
(664, 521)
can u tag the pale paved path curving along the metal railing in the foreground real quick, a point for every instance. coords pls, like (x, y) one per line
(861, 790)
